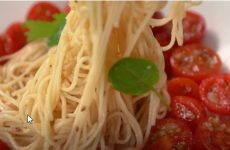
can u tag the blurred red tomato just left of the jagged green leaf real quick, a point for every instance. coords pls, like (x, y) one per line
(15, 38)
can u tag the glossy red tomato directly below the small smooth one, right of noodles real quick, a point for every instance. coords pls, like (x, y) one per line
(188, 109)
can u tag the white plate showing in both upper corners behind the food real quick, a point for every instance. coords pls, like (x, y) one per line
(215, 13)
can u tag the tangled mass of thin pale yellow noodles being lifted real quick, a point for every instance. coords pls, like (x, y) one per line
(66, 91)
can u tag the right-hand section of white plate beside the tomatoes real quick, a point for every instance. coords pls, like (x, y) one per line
(218, 34)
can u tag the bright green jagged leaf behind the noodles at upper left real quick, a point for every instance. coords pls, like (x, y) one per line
(44, 29)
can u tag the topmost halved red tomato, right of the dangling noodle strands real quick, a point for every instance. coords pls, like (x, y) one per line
(193, 27)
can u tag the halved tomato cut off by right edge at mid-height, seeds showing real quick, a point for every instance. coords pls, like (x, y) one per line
(215, 93)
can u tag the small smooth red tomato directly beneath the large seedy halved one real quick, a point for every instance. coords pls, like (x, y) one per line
(183, 87)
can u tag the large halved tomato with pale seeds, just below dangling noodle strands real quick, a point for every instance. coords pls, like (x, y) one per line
(195, 61)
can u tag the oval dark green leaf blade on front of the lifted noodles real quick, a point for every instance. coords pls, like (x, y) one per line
(134, 76)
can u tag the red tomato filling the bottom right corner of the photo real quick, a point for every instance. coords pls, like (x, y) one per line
(212, 134)
